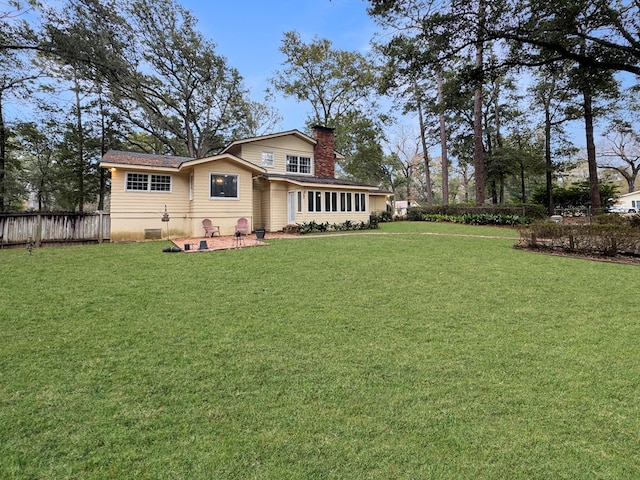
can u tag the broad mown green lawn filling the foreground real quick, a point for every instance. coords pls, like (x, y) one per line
(360, 356)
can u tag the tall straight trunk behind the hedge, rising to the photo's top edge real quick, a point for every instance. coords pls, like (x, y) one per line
(478, 150)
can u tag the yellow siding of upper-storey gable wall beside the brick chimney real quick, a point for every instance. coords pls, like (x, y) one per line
(281, 147)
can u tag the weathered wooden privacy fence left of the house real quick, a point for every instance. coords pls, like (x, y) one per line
(39, 228)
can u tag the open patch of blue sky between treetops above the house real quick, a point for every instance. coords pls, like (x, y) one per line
(249, 33)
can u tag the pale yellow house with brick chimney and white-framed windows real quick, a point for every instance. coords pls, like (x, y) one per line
(273, 180)
